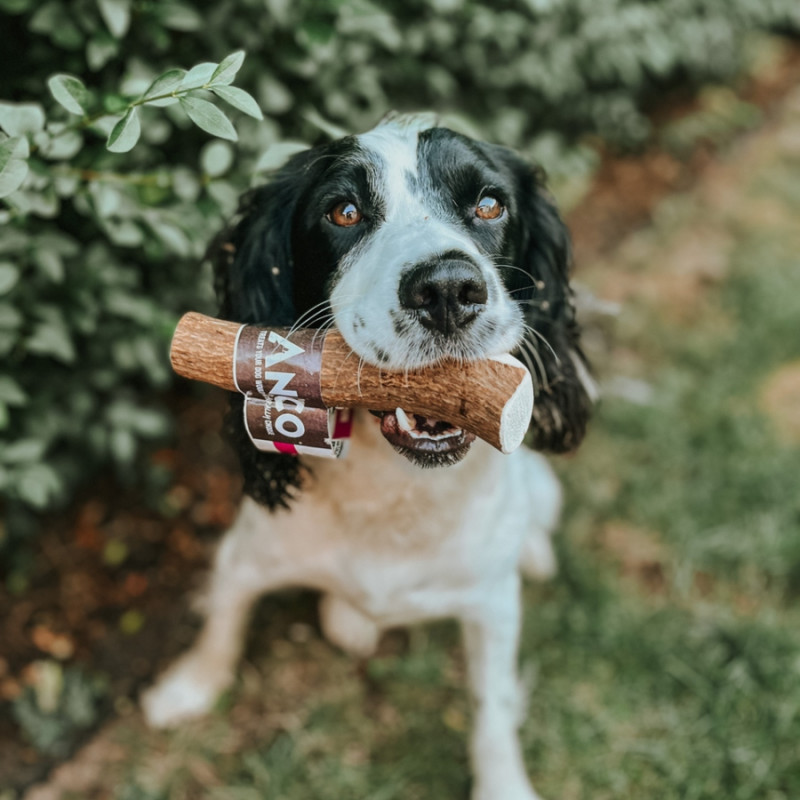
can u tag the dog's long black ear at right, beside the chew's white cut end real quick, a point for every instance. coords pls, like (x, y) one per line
(564, 389)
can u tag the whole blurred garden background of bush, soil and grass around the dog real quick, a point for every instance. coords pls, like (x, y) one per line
(664, 660)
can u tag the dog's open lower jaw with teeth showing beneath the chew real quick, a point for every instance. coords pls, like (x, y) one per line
(425, 441)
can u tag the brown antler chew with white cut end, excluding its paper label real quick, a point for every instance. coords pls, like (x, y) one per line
(492, 398)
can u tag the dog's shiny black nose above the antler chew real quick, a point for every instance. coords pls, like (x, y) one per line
(447, 293)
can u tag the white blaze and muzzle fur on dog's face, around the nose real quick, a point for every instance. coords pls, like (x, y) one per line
(416, 229)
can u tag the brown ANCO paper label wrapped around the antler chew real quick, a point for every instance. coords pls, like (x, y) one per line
(278, 371)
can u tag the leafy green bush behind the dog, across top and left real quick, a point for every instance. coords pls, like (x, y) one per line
(111, 192)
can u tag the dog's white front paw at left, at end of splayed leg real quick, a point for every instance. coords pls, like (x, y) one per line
(185, 691)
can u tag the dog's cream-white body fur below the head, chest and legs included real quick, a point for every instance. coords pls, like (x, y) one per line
(389, 544)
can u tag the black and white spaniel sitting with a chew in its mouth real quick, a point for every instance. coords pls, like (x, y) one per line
(418, 244)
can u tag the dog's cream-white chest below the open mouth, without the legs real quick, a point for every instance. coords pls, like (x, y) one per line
(401, 543)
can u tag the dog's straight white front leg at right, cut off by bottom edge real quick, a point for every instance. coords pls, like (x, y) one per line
(491, 634)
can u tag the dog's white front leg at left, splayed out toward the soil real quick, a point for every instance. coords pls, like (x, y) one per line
(190, 686)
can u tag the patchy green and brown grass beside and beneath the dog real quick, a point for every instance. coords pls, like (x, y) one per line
(664, 661)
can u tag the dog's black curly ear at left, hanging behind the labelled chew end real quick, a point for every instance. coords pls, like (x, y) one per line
(253, 268)
